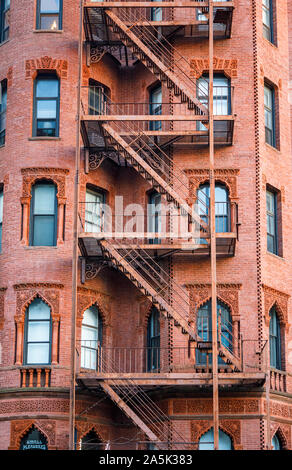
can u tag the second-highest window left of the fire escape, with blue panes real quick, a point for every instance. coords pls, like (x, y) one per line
(46, 106)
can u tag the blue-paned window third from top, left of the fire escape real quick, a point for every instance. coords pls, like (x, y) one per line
(43, 226)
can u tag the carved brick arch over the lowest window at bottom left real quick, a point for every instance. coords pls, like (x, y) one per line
(20, 428)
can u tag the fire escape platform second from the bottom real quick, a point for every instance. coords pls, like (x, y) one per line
(225, 243)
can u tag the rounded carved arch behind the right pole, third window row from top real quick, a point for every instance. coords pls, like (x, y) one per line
(228, 177)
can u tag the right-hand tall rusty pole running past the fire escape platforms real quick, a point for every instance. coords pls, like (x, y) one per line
(213, 236)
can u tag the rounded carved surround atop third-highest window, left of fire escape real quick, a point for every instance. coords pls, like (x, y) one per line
(31, 175)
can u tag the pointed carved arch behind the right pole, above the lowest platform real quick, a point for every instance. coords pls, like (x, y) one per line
(227, 293)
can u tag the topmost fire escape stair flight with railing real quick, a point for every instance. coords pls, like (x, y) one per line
(158, 55)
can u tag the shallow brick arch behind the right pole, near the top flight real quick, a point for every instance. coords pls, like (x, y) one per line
(226, 66)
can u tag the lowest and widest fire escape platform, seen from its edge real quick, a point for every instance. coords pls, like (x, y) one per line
(92, 380)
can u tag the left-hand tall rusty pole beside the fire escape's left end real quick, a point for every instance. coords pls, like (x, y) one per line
(75, 241)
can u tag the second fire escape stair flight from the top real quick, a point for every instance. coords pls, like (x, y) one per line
(142, 156)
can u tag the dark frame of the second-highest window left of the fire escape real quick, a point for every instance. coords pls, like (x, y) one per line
(45, 76)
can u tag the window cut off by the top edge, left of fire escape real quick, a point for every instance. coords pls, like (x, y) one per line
(49, 14)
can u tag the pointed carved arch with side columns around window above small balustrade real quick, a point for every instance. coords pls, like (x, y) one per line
(25, 294)
